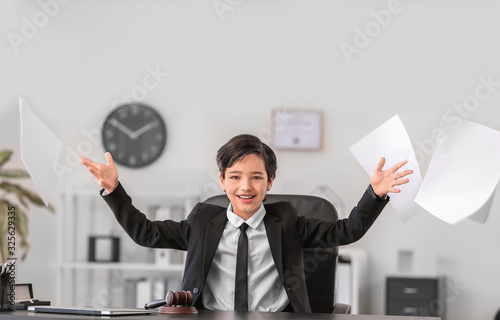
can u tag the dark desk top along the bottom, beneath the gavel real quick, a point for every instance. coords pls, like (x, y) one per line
(213, 315)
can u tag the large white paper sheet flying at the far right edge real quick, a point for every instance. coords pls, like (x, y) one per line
(463, 171)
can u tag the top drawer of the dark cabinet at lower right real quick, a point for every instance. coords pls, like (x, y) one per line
(408, 288)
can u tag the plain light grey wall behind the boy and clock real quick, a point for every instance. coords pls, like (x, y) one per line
(225, 77)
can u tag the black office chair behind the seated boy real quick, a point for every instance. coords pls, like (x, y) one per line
(320, 273)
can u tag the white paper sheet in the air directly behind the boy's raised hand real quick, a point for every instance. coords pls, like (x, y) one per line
(390, 140)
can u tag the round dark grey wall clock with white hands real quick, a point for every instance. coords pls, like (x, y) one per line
(134, 134)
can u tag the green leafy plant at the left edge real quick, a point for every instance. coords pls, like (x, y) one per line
(14, 201)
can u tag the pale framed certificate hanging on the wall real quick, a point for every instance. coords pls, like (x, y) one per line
(297, 130)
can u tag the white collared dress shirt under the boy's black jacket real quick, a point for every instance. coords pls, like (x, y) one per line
(265, 289)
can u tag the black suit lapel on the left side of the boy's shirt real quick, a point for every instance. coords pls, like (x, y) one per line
(214, 231)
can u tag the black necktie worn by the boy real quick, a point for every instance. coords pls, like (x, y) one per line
(241, 282)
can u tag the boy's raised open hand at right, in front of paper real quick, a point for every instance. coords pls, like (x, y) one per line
(384, 181)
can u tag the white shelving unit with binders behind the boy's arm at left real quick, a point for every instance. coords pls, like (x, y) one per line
(83, 283)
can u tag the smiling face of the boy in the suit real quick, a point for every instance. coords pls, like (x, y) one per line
(246, 184)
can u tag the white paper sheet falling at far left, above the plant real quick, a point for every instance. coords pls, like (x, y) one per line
(40, 150)
